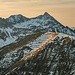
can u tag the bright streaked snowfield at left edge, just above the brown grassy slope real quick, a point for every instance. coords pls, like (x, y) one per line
(6, 36)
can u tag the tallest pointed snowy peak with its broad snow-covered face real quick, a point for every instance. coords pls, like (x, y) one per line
(44, 23)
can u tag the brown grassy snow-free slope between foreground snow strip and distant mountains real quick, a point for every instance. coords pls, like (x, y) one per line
(20, 43)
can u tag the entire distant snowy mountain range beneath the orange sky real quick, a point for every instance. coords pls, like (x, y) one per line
(17, 26)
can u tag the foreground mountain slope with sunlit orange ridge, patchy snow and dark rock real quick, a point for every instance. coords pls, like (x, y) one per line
(45, 61)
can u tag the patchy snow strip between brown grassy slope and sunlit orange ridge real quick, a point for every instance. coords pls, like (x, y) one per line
(12, 56)
